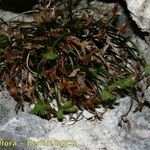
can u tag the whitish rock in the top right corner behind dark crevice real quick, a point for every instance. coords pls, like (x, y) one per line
(140, 12)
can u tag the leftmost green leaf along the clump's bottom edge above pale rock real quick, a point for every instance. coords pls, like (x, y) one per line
(40, 108)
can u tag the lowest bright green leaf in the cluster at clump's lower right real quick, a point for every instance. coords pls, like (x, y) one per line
(108, 96)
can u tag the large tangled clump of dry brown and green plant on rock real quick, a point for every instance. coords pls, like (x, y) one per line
(69, 58)
